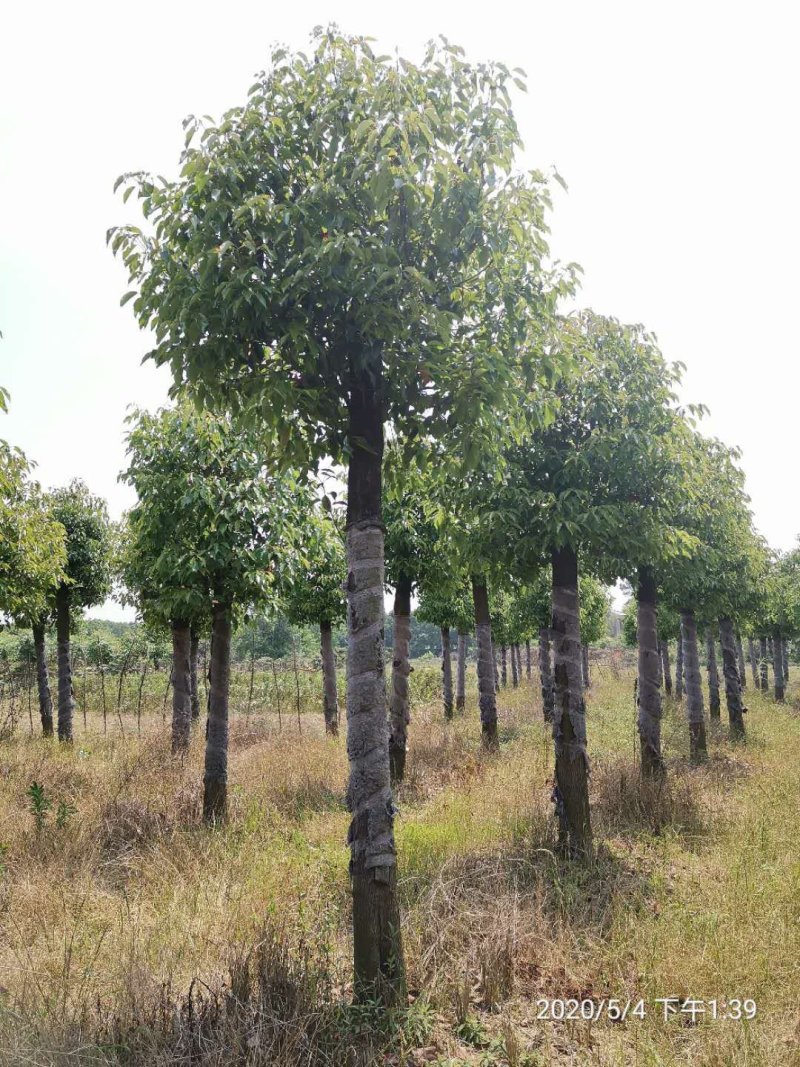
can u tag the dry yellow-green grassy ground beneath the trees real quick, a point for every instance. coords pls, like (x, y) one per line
(130, 934)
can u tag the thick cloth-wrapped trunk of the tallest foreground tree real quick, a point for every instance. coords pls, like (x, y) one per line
(378, 957)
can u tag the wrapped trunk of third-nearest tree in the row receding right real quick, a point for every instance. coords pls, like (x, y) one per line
(650, 673)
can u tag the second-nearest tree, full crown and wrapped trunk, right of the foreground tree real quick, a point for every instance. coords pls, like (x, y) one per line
(586, 486)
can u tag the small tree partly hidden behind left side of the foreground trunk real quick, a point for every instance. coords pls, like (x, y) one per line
(313, 594)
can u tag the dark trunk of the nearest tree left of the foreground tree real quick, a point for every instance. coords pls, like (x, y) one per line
(216, 777)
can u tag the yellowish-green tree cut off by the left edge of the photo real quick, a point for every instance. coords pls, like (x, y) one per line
(33, 562)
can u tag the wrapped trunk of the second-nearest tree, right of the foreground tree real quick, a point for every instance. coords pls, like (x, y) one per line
(569, 720)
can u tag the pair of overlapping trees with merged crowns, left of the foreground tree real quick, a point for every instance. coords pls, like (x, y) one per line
(204, 539)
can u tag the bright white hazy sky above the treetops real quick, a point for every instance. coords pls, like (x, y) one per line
(675, 125)
